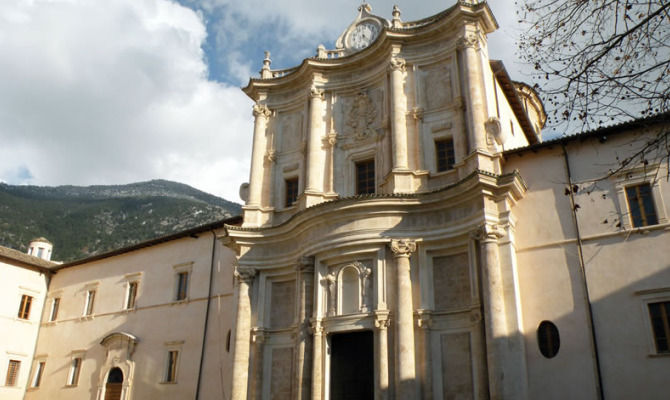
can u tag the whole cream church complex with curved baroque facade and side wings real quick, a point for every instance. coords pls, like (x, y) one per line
(406, 234)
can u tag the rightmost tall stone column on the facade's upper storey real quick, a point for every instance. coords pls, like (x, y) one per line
(474, 90)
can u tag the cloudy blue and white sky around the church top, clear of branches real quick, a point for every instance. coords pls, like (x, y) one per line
(98, 92)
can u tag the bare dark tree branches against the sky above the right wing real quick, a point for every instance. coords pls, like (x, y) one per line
(599, 62)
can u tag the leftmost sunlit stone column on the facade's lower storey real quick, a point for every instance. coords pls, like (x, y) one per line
(245, 277)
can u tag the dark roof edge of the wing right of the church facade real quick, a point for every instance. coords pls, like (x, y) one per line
(600, 133)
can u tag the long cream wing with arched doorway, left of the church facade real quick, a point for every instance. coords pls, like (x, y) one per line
(145, 322)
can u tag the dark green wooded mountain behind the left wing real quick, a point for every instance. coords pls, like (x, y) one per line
(82, 221)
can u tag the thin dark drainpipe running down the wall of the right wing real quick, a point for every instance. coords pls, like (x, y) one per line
(582, 269)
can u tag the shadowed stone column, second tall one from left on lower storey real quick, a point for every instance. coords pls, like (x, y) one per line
(303, 345)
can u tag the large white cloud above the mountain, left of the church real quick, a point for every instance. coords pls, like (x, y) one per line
(94, 93)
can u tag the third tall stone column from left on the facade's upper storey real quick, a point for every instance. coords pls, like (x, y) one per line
(398, 114)
